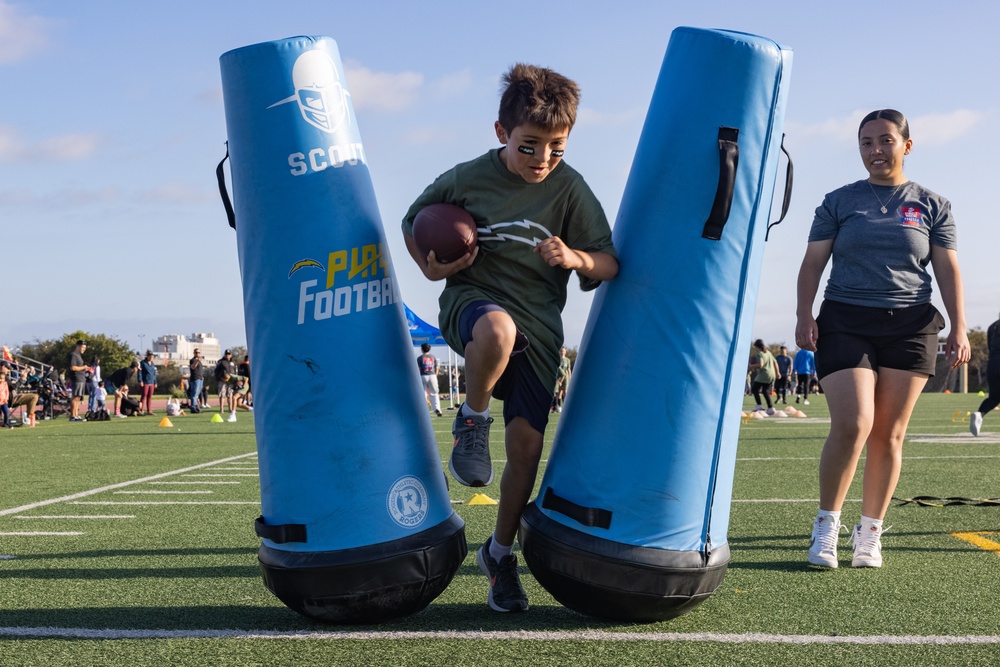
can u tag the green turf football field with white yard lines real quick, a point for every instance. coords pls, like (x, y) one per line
(134, 545)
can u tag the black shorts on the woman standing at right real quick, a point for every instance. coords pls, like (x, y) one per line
(851, 336)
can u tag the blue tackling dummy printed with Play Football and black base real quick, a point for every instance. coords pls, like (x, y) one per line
(356, 523)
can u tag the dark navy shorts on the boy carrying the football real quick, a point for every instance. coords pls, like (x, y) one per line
(522, 393)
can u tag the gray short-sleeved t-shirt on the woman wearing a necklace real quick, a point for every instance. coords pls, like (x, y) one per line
(880, 259)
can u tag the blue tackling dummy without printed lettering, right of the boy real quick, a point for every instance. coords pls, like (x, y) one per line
(632, 514)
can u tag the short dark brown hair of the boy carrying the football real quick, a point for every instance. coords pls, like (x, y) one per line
(537, 96)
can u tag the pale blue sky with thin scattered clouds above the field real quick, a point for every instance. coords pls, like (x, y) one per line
(112, 123)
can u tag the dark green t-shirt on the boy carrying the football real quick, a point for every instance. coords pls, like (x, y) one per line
(512, 217)
